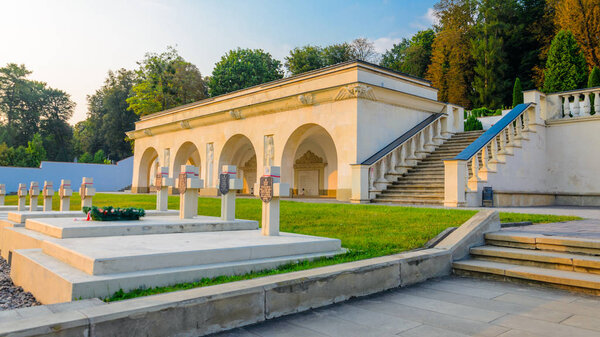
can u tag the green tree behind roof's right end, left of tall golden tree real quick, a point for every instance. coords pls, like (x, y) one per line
(411, 56)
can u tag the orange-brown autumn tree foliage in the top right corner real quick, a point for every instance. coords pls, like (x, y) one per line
(582, 18)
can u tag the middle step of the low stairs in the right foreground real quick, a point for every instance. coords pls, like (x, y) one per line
(538, 258)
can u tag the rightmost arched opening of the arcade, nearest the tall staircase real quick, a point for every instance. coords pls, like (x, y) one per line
(309, 162)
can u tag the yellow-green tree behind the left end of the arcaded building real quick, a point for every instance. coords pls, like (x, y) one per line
(165, 81)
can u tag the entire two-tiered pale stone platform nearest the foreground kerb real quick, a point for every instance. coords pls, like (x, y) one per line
(98, 267)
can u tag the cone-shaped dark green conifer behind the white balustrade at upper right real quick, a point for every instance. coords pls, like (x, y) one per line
(565, 68)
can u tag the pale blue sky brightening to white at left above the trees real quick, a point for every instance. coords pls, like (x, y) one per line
(71, 45)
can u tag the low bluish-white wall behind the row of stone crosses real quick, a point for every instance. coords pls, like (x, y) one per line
(106, 177)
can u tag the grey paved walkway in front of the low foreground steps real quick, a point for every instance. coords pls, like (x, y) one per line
(448, 307)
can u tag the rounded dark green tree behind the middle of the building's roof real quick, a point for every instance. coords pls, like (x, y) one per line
(243, 68)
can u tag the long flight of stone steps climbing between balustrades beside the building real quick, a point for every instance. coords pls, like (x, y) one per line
(424, 183)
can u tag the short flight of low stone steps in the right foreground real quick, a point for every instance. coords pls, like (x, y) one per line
(559, 261)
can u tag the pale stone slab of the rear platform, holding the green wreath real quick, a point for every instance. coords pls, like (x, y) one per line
(71, 228)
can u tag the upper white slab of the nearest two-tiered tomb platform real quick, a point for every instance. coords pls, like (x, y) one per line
(109, 255)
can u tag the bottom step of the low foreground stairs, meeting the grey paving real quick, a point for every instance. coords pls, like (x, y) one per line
(542, 275)
